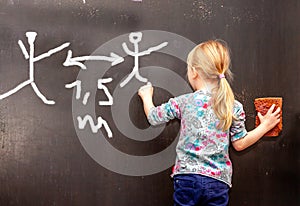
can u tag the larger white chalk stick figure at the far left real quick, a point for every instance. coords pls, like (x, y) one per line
(31, 36)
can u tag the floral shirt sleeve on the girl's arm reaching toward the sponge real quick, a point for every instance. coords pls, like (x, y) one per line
(238, 129)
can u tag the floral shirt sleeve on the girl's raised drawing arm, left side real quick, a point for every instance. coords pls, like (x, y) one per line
(165, 112)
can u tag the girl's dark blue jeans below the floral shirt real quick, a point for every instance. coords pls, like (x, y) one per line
(193, 189)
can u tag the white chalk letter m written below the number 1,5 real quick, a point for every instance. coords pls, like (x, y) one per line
(94, 127)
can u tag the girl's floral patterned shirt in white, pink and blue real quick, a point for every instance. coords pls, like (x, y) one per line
(202, 148)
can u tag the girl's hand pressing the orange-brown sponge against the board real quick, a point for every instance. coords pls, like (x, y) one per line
(271, 119)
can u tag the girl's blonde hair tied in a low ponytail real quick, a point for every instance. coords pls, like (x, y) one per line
(211, 60)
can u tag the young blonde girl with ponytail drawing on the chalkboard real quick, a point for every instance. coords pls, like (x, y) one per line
(210, 118)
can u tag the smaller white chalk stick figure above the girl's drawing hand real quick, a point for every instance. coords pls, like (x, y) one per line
(135, 38)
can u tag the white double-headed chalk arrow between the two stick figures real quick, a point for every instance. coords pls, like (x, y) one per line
(76, 61)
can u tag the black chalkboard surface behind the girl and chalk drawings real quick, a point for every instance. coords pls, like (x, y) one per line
(72, 134)
